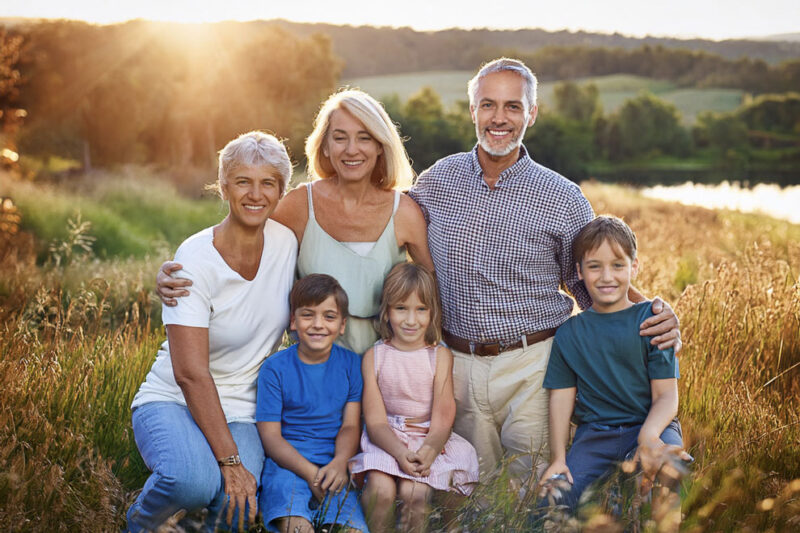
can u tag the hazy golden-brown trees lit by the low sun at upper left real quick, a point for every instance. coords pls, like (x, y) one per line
(168, 94)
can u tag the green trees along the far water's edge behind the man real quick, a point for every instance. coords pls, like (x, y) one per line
(575, 136)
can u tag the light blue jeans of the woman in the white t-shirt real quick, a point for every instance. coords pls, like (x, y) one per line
(185, 474)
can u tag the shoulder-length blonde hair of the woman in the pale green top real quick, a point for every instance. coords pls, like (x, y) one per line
(392, 170)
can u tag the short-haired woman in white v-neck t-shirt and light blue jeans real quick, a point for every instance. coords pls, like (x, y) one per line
(194, 416)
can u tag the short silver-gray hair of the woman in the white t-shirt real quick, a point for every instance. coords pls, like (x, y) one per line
(254, 148)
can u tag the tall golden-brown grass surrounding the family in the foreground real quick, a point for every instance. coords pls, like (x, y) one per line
(78, 335)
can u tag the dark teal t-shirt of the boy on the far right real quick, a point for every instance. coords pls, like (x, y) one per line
(603, 355)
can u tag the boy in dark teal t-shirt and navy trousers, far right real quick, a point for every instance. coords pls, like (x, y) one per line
(622, 391)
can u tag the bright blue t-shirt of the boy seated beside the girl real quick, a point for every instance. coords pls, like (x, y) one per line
(309, 400)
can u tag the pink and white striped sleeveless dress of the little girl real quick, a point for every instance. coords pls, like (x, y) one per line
(405, 380)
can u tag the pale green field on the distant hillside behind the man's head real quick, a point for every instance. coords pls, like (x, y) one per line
(614, 90)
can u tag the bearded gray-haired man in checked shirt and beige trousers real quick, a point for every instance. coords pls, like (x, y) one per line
(500, 230)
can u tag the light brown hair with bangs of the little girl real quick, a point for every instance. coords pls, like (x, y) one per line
(403, 280)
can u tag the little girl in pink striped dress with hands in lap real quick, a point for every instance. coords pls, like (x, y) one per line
(408, 449)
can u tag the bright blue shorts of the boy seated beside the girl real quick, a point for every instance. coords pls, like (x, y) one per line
(284, 493)
